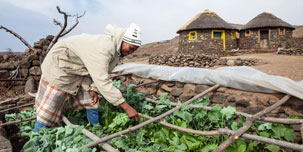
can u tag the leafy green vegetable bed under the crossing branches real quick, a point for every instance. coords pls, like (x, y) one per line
(181, 127)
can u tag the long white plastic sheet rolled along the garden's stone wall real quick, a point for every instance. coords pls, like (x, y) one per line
(240, 77)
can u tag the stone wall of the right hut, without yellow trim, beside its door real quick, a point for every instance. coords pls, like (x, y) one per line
(275, 40)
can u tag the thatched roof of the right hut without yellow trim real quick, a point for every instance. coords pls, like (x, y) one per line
(266, 20)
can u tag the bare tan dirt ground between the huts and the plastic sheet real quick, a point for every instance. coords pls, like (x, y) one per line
(271, 63)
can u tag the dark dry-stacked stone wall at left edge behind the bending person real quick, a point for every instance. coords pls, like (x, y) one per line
(23, 66)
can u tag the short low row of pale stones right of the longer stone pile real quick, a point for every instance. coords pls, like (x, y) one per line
(239, 62)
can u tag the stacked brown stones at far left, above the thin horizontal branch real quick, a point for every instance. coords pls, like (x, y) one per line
(26, 64)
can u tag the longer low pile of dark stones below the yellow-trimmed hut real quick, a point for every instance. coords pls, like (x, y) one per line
(182, 60)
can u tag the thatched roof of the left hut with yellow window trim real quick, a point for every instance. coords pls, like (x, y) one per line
(206, 20)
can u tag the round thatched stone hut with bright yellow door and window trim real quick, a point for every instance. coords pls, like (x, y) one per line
(207, 33)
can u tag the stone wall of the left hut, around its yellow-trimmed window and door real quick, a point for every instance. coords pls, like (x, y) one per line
(205, 44)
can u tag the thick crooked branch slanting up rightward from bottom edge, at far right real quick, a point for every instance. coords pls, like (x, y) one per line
(248, 124)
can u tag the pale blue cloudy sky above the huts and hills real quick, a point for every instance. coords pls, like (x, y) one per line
(158, 19)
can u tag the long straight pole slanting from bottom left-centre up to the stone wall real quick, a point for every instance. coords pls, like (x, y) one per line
(148, 121)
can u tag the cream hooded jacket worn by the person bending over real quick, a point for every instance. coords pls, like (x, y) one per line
(85, 60)
